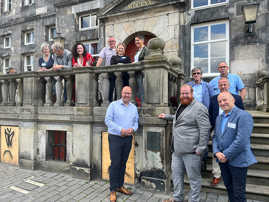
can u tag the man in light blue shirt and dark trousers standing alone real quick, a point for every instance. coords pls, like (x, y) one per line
(122, 121)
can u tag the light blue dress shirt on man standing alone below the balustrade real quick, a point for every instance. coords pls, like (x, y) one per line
(120, 116)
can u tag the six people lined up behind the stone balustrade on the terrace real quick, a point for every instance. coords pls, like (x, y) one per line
(61, 58)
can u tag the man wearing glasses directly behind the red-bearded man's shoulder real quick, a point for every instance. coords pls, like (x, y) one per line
(200, 87)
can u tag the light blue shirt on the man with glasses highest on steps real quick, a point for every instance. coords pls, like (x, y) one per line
(236, 84)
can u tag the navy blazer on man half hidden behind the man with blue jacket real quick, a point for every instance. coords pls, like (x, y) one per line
(214, 108)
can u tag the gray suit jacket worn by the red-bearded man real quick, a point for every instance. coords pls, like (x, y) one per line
(191, 129)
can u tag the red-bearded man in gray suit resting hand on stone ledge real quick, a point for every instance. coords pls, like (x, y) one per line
(190, 137)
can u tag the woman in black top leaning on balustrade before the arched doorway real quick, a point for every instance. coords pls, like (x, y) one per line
(121, 58)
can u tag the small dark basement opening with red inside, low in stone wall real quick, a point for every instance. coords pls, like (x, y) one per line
(56, 147)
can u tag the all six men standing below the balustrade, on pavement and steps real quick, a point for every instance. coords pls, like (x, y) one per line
(214, 108)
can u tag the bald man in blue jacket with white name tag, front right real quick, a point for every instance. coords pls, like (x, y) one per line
(231, 146)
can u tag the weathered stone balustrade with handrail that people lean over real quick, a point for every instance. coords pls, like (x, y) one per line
(55, 88)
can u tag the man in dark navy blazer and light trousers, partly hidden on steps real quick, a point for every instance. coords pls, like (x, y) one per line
(214, 111)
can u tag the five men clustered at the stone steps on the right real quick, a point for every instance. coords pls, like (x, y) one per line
(214, 108)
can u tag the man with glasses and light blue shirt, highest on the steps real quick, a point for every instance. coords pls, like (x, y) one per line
(236, 84)
